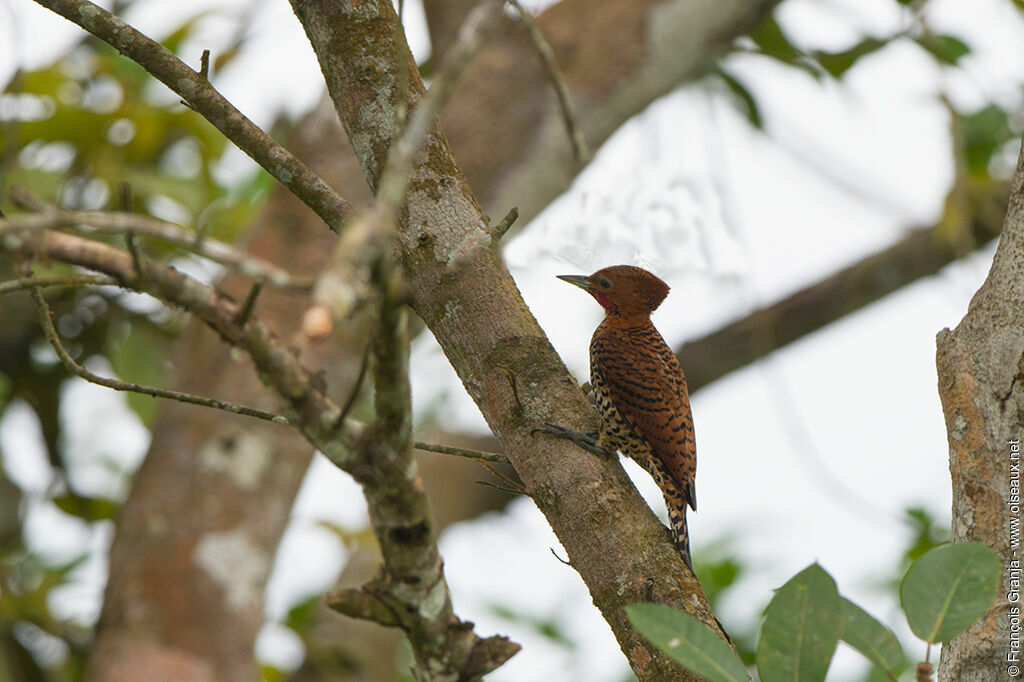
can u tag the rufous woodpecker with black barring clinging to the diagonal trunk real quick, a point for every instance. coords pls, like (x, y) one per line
(641, 391)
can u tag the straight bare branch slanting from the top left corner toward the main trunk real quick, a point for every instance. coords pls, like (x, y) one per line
(197, 91)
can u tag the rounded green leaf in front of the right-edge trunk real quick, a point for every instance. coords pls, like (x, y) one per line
(949, 589)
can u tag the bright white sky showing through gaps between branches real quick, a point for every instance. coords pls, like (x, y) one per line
(808, 456)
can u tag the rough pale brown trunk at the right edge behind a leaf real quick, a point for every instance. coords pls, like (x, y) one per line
(982, 383)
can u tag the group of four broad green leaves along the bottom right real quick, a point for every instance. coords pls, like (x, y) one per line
(943, 595)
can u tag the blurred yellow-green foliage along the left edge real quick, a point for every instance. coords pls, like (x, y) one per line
(92, 131)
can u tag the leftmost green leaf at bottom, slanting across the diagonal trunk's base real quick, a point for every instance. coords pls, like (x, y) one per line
(688, 642)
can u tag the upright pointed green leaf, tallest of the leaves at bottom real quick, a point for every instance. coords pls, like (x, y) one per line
(802, 628)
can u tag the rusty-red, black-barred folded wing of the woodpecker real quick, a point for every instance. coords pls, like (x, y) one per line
(649, 389)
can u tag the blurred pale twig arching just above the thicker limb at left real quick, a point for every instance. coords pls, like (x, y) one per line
(98, 223)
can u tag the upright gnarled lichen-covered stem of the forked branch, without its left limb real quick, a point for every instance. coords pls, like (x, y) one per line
(410, 591)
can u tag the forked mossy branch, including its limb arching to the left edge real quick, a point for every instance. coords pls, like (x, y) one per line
(378, 456)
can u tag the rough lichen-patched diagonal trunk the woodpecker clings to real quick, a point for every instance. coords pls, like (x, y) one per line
(470, 302)
